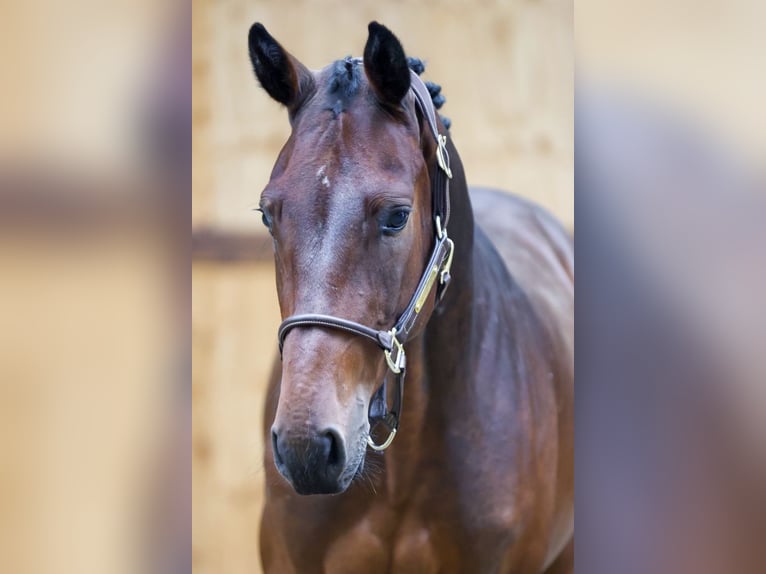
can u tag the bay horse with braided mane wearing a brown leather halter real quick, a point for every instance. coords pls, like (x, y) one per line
(386, 264)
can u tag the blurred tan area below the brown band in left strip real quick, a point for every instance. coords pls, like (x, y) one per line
(86, 346)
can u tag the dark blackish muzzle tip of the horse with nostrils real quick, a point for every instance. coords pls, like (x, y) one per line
(312, 462)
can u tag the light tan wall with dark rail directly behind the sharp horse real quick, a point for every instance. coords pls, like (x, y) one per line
(506, 69)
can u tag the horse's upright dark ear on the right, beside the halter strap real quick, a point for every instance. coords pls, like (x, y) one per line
(386, 65)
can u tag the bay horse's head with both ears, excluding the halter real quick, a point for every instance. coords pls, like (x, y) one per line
(349, 208)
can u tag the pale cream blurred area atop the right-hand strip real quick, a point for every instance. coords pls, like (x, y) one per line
(697, 60)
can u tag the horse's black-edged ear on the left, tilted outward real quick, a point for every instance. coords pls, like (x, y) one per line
(280, 74)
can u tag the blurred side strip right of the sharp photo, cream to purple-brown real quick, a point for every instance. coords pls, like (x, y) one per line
(670, 168)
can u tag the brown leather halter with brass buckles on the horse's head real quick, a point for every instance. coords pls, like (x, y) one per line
(392, 341)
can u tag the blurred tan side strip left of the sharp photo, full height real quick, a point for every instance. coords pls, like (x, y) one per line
(94, 295)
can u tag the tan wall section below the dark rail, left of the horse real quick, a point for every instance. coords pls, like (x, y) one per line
(234, 343)
